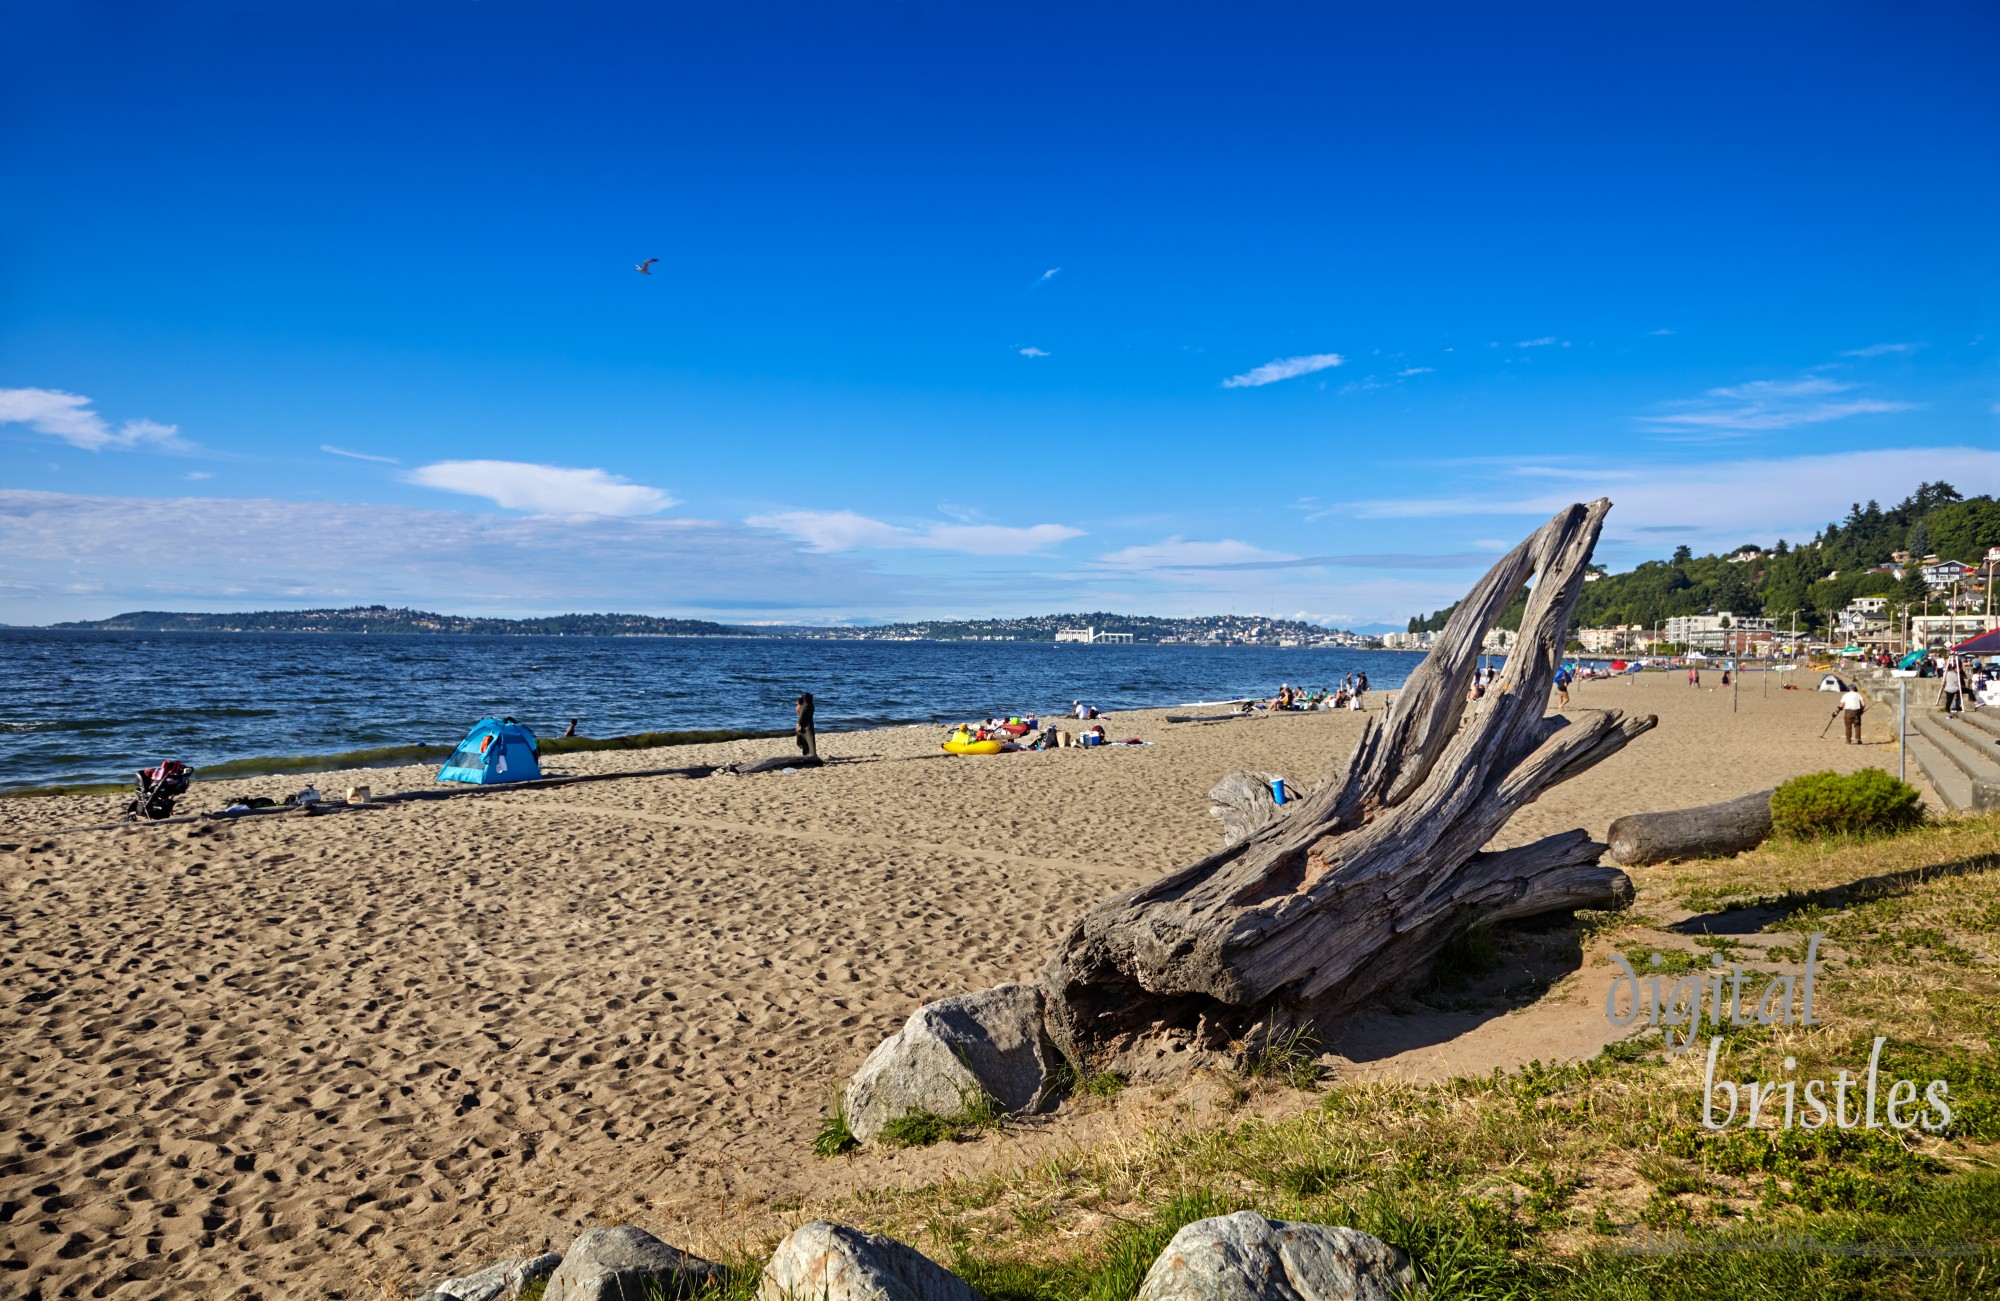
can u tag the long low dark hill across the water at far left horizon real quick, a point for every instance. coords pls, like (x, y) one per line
(383, 619)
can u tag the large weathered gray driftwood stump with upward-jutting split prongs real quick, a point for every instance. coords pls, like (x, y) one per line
(1361, 886)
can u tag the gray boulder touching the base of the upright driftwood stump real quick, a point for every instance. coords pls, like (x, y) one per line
(953, 1052)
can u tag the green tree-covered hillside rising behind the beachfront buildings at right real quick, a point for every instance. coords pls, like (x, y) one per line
(1807, 579)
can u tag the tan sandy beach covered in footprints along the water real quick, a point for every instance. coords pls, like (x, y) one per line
(343, 1056)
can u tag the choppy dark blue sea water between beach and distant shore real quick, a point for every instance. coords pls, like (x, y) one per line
(89, 708)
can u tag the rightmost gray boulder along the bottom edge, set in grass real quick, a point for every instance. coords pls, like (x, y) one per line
(1249, 1258)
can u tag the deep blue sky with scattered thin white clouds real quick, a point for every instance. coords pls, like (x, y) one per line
(969, 311)
